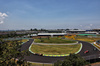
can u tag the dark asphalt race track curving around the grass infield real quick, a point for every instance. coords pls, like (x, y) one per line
(43, 59)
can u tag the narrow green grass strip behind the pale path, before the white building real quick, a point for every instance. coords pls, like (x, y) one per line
(54, 40)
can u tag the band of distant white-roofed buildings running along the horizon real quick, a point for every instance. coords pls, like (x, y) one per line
(51, 31)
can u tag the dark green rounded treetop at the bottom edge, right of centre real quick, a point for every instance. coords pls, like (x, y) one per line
(72, 60)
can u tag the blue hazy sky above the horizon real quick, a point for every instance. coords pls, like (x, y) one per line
(49, 14)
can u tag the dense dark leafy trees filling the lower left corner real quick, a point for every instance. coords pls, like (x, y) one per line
(9, 53)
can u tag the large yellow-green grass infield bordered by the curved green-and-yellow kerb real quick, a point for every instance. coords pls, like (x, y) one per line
(55, 49)
